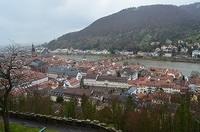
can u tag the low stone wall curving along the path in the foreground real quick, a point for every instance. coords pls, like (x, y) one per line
(48, 119)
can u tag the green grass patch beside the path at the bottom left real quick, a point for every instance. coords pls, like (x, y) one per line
(21, 128)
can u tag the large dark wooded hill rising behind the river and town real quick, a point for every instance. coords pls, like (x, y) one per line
(135, 28)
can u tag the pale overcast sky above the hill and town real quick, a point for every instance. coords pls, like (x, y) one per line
(39, 21)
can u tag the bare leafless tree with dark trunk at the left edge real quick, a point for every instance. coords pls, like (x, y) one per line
(10, 74)
